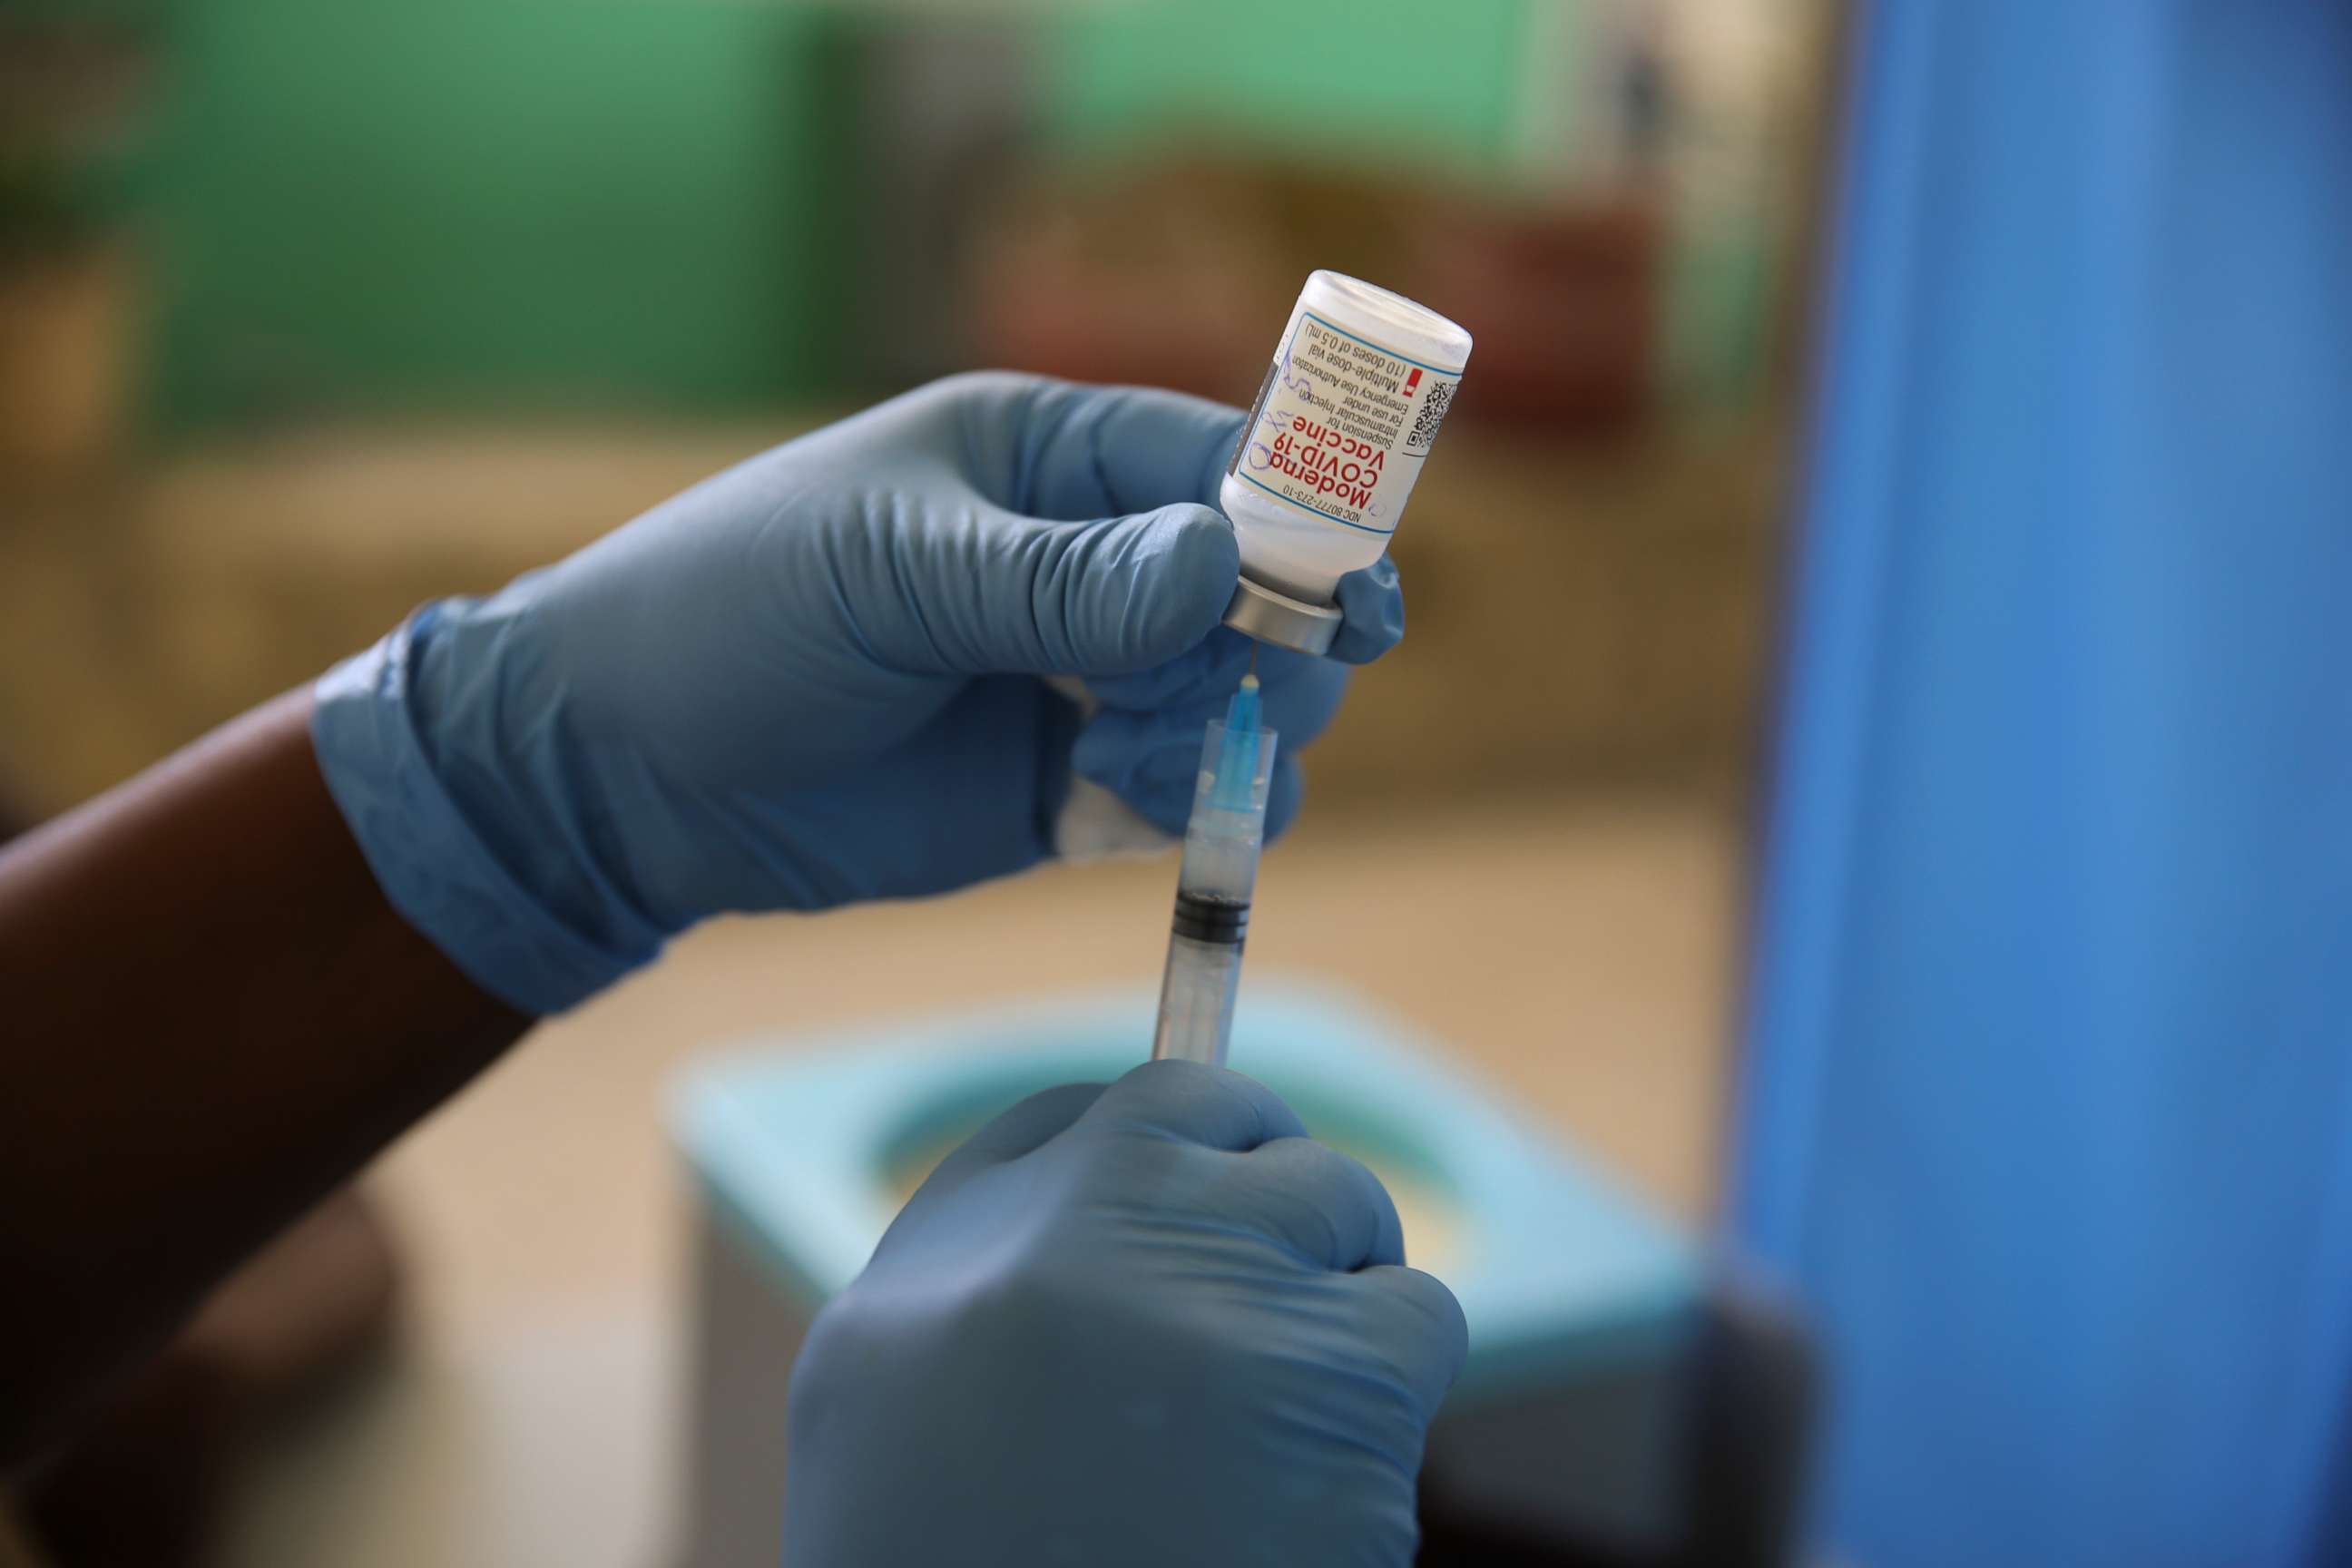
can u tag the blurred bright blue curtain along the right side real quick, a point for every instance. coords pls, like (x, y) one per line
(2047, 1097)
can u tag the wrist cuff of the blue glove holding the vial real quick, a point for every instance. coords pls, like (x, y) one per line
(434, 866)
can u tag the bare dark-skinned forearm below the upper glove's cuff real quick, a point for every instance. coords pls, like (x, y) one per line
(211, 1019)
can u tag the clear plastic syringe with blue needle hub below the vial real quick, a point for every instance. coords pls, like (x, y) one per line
(1215, 885)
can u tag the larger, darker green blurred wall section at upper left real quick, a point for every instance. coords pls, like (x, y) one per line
(467, 203)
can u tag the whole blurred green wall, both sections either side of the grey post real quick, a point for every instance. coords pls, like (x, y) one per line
(380, 206)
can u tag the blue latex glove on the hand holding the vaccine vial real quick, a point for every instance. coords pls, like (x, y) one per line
(817, 681)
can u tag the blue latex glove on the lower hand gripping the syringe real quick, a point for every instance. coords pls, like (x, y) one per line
(1137, 1325)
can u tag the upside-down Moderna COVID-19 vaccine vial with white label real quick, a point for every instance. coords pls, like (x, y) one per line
(1335, 443)
